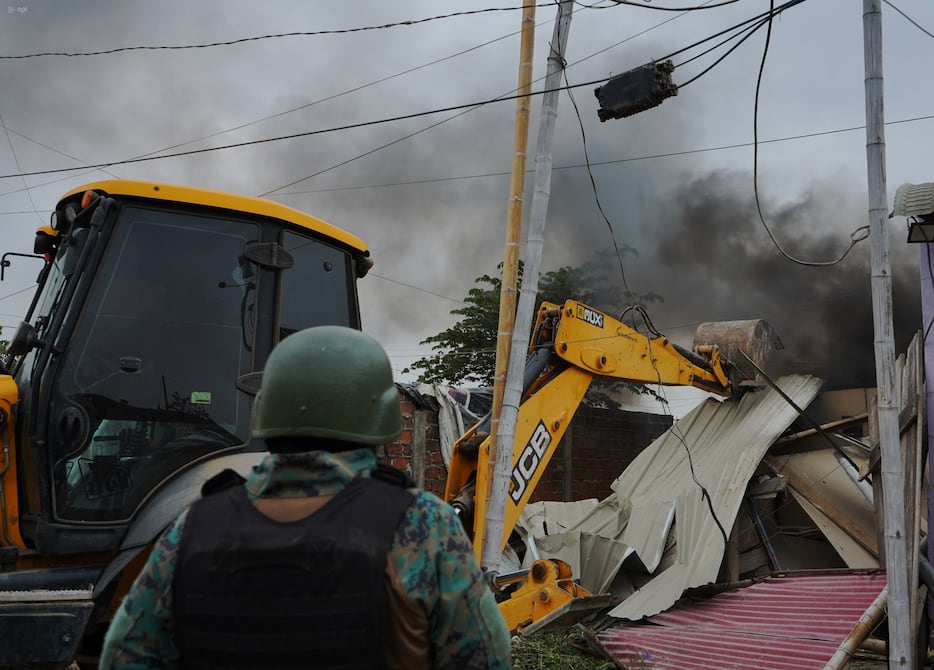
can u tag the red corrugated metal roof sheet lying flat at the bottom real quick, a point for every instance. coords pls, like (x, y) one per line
(787, 622)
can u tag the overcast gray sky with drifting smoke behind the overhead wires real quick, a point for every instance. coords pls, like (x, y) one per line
(433, 207)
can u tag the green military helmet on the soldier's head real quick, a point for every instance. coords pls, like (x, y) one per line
(328, 382)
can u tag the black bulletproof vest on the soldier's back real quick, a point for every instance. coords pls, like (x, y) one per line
(251, 592)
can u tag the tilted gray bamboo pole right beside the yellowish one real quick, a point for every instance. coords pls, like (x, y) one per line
(492, 549)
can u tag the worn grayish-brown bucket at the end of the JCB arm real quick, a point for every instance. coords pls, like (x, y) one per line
(754, 338)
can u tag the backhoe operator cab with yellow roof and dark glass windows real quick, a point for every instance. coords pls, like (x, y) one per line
(130, 382)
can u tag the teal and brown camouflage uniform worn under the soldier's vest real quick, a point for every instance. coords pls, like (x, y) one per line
(431, 561)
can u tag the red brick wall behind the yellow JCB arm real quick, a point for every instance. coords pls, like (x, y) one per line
(597, 448)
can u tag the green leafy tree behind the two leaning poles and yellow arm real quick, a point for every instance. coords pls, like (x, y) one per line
(466, 352)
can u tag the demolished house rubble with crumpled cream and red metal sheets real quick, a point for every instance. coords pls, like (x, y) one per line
(745, 536)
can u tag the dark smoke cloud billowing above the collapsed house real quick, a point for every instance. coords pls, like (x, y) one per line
(711, 259)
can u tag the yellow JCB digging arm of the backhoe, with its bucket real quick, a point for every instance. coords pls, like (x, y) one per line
(571, 346)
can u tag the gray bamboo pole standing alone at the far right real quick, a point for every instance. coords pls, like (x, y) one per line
(901, 654)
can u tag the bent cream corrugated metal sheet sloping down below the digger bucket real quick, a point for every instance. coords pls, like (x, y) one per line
(702, 463)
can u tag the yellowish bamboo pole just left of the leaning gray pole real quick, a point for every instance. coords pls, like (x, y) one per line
(509, 283)
